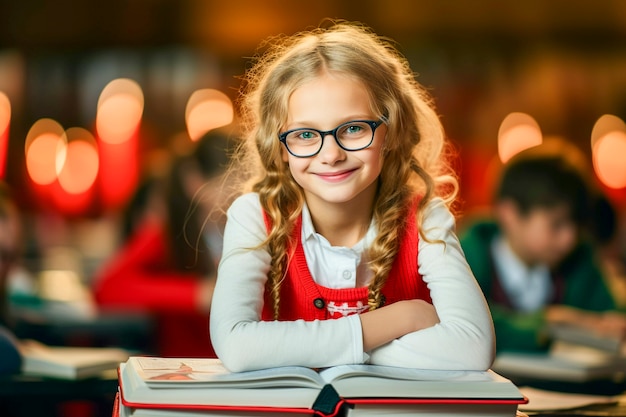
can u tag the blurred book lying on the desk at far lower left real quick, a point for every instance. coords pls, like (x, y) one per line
(69, 362)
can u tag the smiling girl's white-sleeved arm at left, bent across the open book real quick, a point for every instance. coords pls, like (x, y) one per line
(240, 338)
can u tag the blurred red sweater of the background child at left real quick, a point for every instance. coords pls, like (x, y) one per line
(141, 277)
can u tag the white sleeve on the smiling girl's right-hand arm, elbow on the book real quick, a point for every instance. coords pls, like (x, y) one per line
(464, 338)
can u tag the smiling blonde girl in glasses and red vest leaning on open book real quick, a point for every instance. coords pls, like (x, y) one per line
(341, 250)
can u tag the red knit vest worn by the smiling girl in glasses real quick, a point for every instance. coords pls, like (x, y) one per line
(302, 298)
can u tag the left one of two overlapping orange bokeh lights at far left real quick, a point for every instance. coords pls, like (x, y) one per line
(45, 150)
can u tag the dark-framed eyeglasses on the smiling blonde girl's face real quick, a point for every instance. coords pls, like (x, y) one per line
(350, 136)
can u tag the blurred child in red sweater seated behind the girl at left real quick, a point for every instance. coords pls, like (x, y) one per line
(168, 264)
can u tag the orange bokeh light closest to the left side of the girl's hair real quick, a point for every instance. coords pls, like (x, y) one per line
(207, 109)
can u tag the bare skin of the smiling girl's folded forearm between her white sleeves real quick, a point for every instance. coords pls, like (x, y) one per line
(395, 320)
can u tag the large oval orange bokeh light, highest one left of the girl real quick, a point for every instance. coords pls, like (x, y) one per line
(120, 108)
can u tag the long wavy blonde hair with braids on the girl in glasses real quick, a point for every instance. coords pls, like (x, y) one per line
(414, 149)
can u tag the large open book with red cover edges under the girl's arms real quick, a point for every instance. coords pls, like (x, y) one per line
(152, 386)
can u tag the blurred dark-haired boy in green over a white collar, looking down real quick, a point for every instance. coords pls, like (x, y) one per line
(532, 259)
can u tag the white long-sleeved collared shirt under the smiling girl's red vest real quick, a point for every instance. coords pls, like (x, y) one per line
(463, 340)
